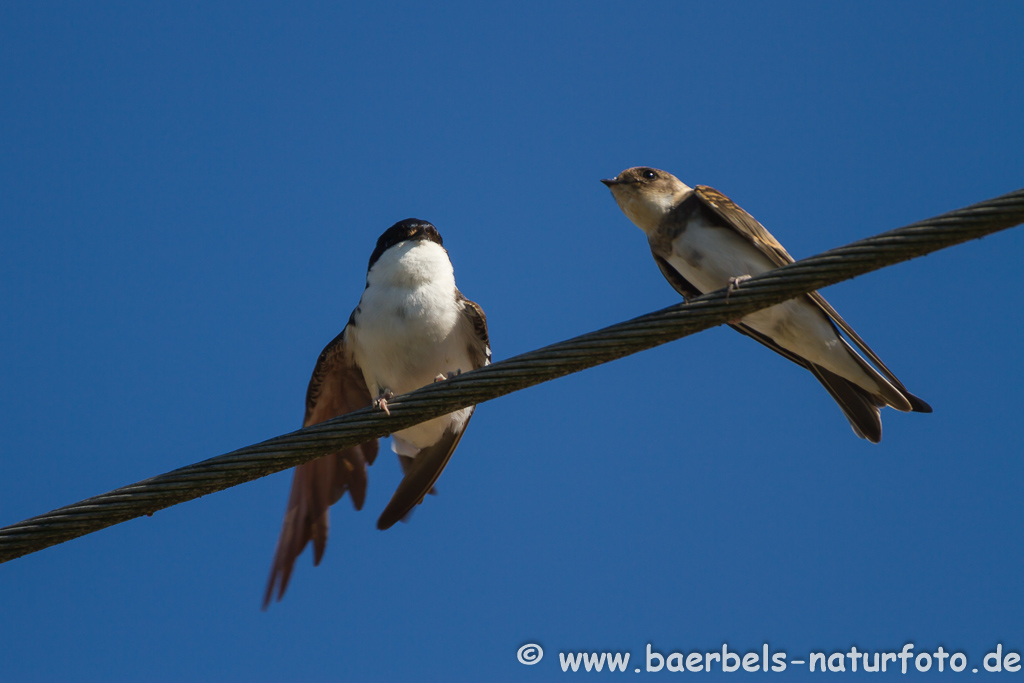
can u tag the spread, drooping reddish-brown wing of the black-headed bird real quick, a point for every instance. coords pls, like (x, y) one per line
(336, 388)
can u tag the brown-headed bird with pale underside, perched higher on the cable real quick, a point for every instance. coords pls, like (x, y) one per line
(703, 242)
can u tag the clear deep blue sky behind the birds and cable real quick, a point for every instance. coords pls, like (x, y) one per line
(189, 196)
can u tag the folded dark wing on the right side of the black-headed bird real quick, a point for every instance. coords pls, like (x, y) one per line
(431, 462)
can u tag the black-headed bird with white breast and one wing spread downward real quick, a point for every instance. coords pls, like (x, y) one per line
(412, 327)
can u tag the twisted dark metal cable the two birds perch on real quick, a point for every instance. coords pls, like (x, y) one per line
(518, 373)
